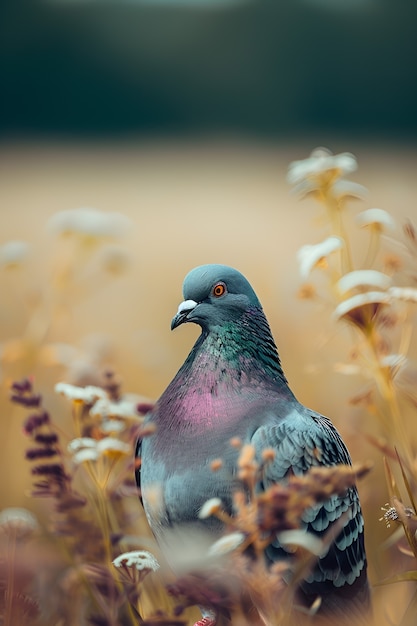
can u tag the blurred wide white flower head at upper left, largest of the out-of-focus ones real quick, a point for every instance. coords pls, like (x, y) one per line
(89, 222)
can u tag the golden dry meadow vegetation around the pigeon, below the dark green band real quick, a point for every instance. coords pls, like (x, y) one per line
(94, 295)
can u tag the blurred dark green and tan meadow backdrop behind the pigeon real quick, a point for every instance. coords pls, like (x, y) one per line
(178, 120)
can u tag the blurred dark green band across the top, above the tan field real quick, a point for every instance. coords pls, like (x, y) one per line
(262, 67)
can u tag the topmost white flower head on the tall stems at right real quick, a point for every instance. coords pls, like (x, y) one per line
(321, 161)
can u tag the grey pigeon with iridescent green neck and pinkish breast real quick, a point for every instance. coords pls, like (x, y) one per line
(232, 385)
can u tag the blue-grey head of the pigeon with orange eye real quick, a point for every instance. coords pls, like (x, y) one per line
(214, 295)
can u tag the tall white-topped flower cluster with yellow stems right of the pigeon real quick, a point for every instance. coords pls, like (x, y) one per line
(367, 293)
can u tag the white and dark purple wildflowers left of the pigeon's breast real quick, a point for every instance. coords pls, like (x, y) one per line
(94, 520)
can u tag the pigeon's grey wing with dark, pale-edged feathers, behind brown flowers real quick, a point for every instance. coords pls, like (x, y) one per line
(303, 440)
